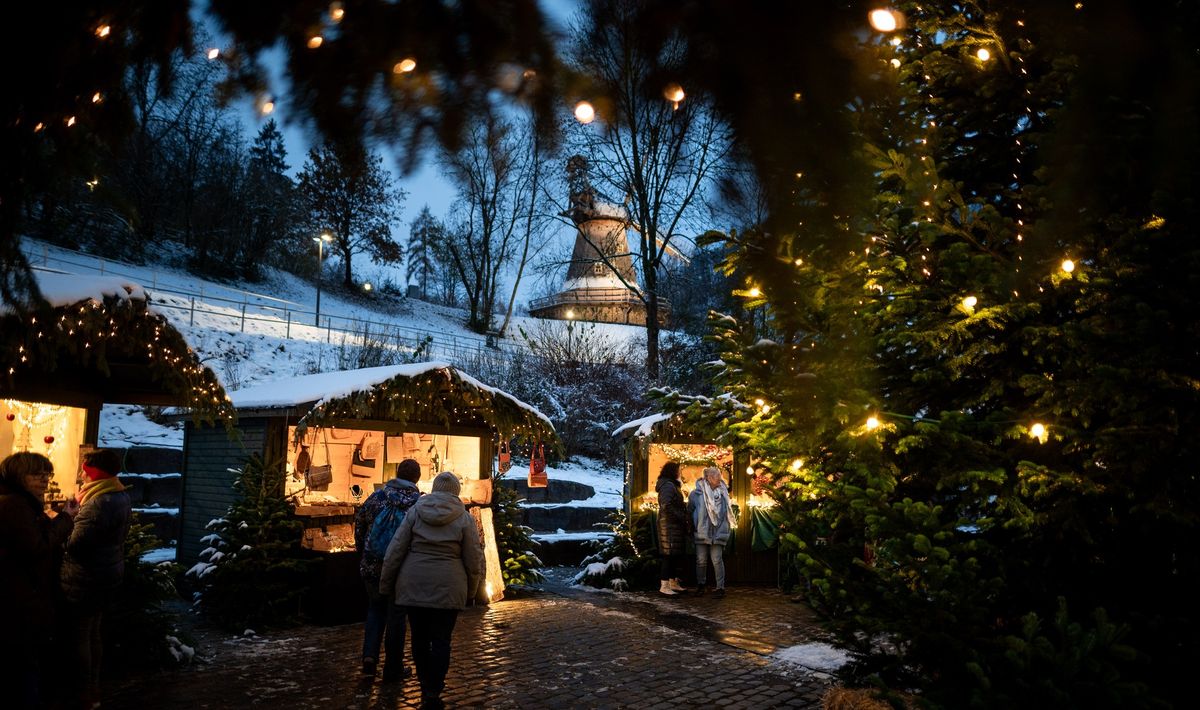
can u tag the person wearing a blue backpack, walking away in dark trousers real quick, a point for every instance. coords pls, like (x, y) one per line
(375, 525)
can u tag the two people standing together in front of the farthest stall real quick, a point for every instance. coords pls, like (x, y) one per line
(706, 518)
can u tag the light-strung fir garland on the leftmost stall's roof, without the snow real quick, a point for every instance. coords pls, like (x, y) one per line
(92, 334)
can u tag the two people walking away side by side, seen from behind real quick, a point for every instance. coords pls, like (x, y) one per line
(431, 570)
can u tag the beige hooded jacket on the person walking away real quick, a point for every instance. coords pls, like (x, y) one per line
(435, 559)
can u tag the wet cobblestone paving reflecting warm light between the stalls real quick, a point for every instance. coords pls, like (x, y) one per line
(555, 648)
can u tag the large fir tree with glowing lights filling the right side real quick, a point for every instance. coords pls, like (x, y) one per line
(980, 398)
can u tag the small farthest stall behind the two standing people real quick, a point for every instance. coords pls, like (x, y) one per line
(655, 441)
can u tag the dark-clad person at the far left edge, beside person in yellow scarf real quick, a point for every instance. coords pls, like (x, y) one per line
(31, 543)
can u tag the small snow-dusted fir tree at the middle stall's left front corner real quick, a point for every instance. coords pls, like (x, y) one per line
(253, 571)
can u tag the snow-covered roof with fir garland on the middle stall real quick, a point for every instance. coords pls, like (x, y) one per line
(419, 392)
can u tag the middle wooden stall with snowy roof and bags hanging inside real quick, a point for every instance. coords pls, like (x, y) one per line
(341, 436)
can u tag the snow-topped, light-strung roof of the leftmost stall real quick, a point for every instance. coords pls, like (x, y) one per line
(99, 340)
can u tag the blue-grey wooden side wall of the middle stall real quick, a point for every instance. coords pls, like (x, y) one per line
(208, 482)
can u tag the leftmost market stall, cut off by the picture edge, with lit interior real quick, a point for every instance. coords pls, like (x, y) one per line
(95, 341)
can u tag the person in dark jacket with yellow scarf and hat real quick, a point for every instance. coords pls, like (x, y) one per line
(93, 569)
